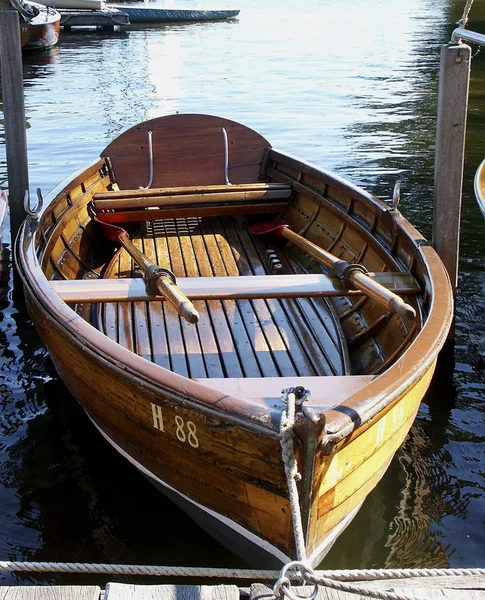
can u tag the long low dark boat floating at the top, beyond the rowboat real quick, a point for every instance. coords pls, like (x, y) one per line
(151, 13)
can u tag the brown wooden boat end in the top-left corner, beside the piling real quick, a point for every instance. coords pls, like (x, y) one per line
(39, 24)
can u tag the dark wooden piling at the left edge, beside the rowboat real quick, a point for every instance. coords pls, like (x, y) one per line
(14, 115)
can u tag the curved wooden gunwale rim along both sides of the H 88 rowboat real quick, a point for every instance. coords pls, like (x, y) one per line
(341, 420)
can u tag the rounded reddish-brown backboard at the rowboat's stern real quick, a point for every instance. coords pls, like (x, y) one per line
(194, 141)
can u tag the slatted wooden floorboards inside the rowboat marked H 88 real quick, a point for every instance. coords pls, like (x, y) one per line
(234, 338)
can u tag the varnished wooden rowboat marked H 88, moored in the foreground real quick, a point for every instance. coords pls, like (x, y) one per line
(183, 373)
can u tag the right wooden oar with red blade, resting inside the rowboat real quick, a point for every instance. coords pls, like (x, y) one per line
(351, 273)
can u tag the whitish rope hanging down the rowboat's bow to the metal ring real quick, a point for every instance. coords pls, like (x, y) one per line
(291, 469)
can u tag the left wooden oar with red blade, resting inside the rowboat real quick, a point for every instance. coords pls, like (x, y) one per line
(158, 279)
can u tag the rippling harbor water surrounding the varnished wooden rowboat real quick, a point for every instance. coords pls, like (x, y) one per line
(351, 86)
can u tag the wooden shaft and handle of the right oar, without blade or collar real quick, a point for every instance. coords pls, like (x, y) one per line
(360, 280)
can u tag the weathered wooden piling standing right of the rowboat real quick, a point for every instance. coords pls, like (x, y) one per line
(450, 154)
